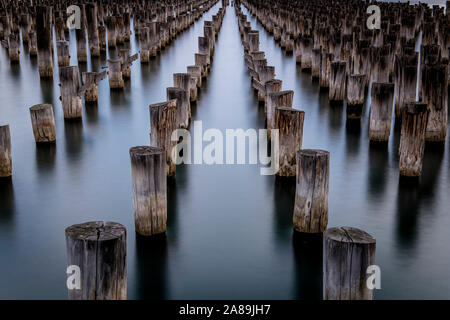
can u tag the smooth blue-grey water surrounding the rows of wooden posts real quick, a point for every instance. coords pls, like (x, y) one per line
(229, 228)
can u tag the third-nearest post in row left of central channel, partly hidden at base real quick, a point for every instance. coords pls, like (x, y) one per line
(163, 121)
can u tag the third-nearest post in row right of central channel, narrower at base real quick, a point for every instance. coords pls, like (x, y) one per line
(289, 121)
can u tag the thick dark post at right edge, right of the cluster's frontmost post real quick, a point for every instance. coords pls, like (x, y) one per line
(435, 94)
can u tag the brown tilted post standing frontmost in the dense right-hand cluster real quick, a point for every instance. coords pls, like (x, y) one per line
(412, 139)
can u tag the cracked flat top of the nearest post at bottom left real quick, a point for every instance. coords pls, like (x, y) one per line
(96, 231)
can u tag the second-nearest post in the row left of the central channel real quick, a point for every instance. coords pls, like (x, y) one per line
(149, 185)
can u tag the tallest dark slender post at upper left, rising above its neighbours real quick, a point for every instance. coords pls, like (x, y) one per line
(44, 38)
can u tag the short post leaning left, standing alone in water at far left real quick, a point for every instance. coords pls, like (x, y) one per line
(43, 123)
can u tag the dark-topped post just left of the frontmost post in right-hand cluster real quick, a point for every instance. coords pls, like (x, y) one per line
(382, 95)
